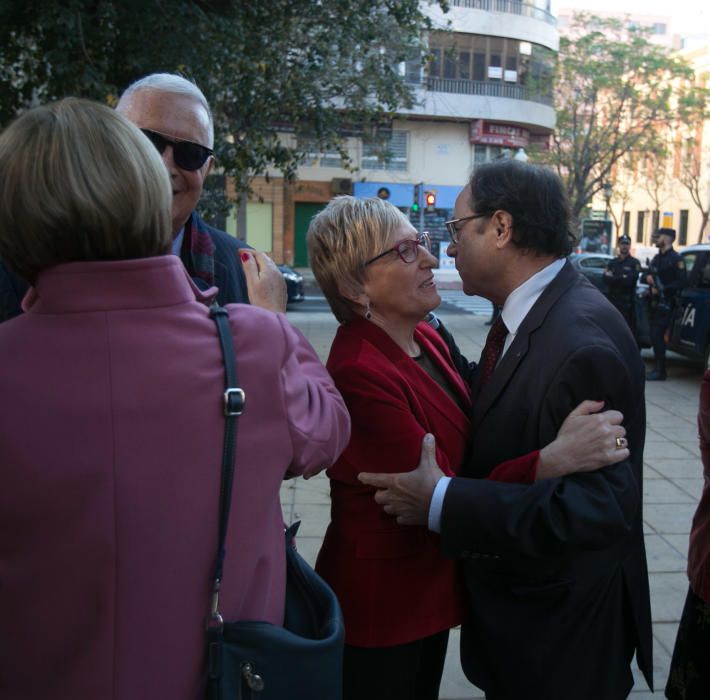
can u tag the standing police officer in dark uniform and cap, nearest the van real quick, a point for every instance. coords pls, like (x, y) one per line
(666, 277)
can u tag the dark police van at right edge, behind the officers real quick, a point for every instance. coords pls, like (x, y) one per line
(689, 332)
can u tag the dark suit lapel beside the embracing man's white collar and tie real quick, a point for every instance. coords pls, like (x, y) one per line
(515, 354)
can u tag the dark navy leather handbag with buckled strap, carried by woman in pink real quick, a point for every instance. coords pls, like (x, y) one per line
(255, 660)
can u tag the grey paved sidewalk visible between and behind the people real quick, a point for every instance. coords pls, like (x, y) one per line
(672, 485)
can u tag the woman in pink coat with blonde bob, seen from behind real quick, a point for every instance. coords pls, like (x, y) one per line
(112, 425)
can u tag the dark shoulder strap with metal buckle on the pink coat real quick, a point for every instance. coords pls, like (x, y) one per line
(233, 403)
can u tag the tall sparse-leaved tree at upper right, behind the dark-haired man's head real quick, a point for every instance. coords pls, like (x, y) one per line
(614, 91)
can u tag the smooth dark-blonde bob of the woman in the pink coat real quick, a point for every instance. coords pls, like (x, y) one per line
(79, 182)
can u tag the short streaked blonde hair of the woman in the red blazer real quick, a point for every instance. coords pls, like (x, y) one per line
(341, 238)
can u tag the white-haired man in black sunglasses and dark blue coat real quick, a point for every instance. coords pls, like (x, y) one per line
(175, 116)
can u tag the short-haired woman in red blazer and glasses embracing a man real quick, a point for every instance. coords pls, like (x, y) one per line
(399, 595)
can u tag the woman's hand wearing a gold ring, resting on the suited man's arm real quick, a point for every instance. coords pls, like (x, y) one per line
(587, 440)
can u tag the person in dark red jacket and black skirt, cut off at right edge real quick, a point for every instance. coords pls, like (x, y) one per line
(689, 677)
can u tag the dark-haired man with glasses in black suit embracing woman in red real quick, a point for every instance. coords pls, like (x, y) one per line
(556, 570)
